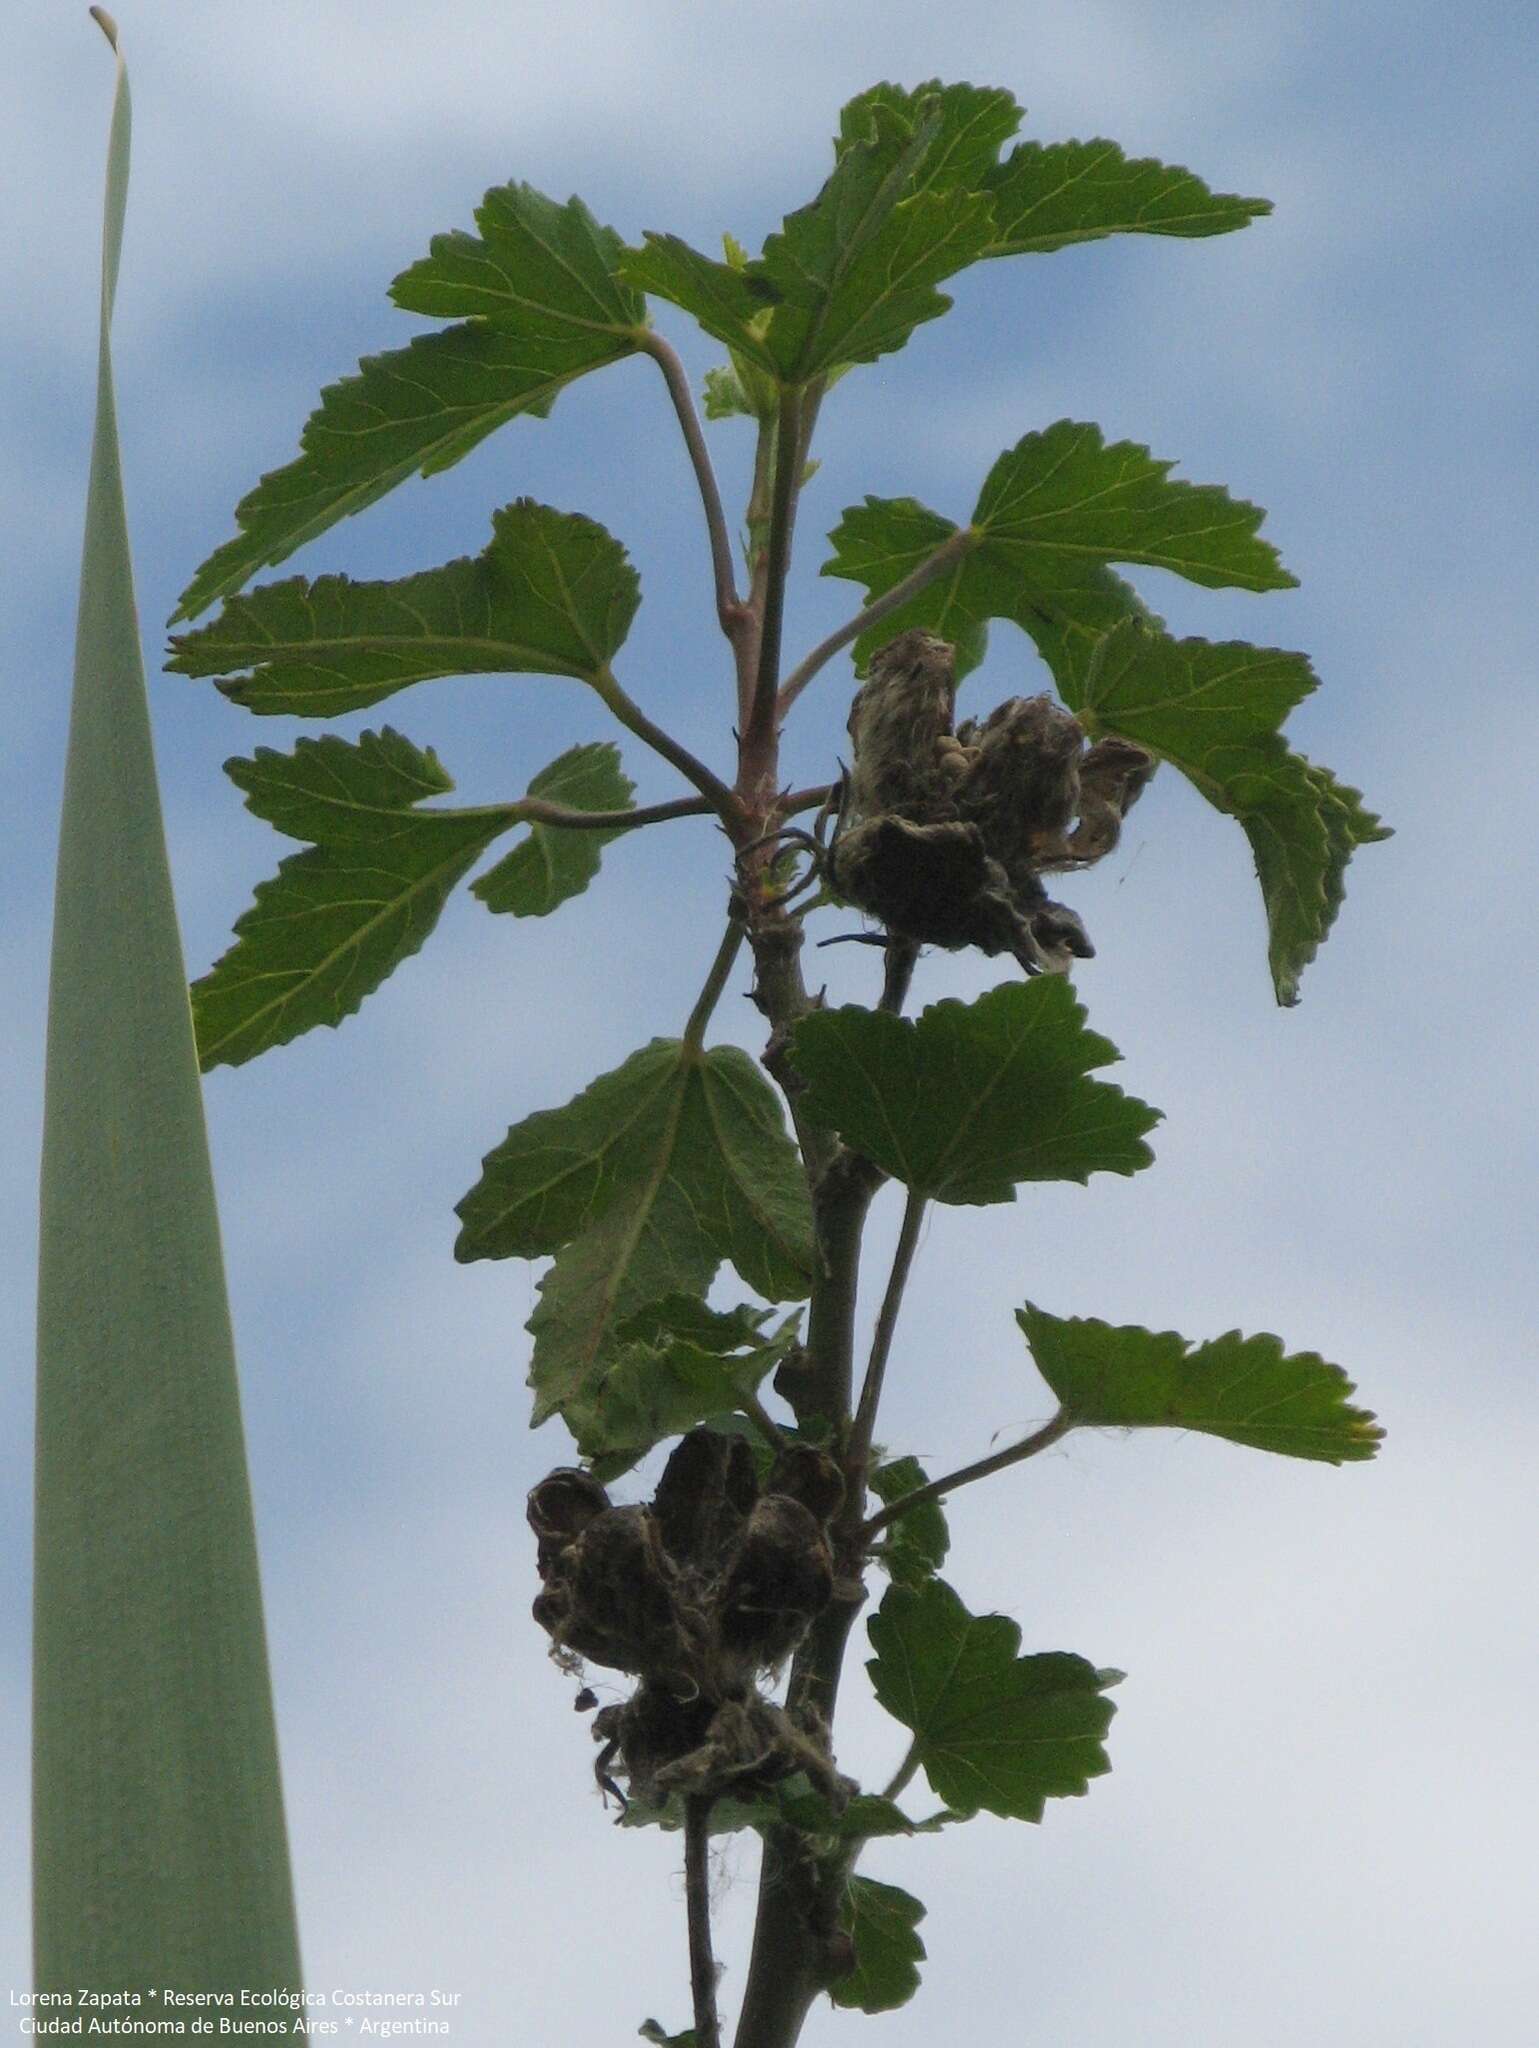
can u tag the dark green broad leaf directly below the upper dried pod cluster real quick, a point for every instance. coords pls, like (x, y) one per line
(979, 1097)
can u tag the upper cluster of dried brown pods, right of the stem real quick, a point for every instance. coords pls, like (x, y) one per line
(946, 833)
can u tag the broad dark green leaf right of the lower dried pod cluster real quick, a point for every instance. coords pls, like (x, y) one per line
(993, 1730)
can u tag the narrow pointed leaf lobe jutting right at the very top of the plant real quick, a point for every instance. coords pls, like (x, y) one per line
(1048, 196)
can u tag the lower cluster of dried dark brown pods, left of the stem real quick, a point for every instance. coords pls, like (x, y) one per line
(698, 1594)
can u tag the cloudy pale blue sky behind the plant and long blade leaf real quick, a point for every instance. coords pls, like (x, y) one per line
(1325, 1785)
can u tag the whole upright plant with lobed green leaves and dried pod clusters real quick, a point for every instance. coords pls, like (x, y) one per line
(729, 1596)
